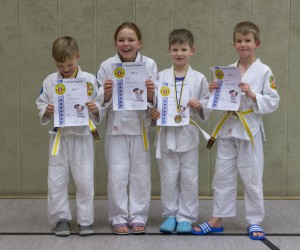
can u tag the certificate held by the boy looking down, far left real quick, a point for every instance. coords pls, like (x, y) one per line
(70, 96)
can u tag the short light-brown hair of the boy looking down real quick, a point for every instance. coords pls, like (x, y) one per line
(64, 48)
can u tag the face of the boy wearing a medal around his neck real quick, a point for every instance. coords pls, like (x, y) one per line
(181, 53)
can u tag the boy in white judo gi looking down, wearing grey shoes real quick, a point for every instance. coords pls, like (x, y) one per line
(76, 147)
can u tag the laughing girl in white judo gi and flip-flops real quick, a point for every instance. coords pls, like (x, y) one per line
(126, 139)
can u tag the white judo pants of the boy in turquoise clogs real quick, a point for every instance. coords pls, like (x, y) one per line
(179, 184)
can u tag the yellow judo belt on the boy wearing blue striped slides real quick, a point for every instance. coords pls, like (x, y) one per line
(241, 116)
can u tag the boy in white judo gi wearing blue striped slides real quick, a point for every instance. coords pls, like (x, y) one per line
(240, 148)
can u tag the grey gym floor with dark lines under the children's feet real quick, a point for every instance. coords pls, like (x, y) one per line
(24, 226)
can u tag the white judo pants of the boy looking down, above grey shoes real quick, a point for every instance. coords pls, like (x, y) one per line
(76, 158)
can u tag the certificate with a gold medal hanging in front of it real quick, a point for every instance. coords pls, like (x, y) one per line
(172, 104)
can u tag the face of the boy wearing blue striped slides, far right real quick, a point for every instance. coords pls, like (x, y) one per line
(245, 45)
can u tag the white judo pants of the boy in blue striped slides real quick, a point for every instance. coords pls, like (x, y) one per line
(236, 155)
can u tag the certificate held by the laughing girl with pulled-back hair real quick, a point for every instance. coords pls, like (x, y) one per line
(129, 87)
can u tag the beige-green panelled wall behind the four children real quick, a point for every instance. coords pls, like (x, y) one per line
(28, 28)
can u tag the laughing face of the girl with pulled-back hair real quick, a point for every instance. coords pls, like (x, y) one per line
(127, 44)
